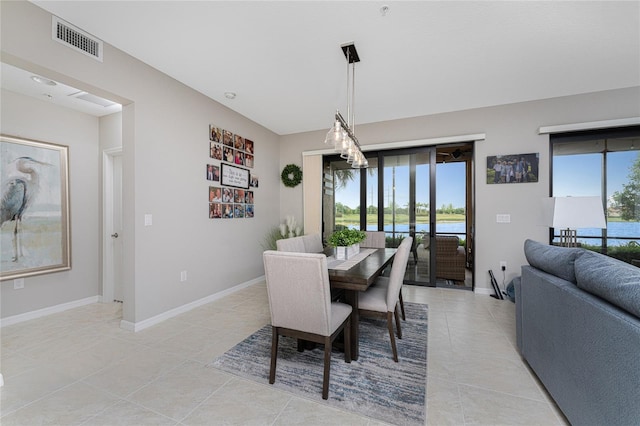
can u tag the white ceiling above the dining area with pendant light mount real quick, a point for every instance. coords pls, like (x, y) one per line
(284, 62)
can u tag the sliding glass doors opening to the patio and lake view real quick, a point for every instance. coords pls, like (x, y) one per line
(425, 193)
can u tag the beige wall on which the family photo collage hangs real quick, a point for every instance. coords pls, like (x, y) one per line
(165, 149)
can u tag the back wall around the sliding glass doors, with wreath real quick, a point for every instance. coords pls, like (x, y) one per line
(509, 129)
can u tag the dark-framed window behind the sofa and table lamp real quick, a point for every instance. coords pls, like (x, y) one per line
(606, 164)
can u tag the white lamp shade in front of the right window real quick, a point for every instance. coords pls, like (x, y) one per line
(573, 212)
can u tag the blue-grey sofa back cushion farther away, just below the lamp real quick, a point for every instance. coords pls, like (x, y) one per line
(558, 261)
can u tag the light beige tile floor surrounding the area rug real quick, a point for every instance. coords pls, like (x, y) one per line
(79, 368)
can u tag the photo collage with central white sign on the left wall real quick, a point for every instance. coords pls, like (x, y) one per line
(233, 183)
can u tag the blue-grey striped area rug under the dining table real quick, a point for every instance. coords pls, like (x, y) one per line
(374, 386)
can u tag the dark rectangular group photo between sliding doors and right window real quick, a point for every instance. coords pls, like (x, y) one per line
(516, 168)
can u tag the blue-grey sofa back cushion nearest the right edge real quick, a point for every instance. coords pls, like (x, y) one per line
(611, 279)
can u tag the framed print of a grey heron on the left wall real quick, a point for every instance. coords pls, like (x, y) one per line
(35, 230)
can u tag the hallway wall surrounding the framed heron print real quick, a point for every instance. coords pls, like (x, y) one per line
(40, 120)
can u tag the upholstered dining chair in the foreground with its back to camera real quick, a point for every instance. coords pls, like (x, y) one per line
(301, 307)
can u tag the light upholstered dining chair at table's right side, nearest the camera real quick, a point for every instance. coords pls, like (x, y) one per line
(382, 301)
